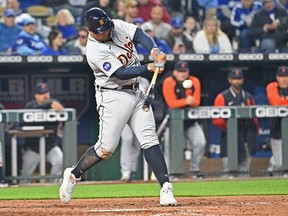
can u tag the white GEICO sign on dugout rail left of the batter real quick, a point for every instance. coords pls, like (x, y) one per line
(45, 116)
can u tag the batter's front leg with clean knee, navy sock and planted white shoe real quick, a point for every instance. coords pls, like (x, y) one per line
(143, 125)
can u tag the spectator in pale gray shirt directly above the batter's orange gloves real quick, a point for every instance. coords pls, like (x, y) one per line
(161, 29)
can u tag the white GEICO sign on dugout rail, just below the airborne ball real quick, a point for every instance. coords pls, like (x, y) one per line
(209, 113)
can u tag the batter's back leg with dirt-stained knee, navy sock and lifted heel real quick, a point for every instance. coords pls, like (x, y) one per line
(114, 108)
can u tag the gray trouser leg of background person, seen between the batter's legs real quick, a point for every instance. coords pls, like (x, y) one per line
(126, 153)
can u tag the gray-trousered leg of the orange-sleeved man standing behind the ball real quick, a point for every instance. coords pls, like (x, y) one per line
(197, 138)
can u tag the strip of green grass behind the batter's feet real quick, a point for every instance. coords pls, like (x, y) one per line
(217, 188)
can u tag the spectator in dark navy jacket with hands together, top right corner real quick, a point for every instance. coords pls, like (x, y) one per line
(270, 26)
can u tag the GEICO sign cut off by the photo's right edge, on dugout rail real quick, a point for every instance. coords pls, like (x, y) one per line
(262, 112)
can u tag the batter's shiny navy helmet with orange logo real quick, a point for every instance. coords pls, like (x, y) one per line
(97, 20)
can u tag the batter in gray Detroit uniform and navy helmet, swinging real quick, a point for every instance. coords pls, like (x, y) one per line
(113, 58)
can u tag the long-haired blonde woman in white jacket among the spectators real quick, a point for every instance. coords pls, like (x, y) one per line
(211, 39)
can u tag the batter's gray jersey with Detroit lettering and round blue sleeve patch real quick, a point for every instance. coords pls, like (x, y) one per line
(106, 58)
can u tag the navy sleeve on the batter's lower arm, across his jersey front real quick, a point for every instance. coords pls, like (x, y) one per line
(130, 72)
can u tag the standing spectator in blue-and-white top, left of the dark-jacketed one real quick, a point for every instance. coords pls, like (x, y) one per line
(241, 18)
